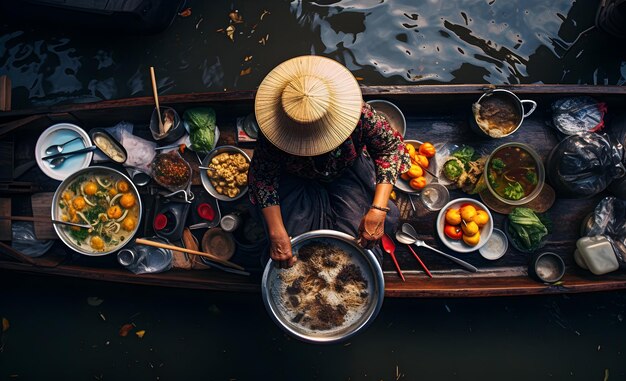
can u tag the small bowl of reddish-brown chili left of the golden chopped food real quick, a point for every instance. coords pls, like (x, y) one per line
(171, 171)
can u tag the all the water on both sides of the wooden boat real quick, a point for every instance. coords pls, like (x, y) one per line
(56, 334)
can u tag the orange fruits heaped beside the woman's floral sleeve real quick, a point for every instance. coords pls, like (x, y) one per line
(422, 167)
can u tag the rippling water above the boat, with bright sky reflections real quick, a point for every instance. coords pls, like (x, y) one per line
(381, 42)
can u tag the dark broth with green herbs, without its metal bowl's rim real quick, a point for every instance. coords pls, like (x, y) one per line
(512, 173)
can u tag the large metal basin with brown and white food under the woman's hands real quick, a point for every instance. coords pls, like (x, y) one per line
(333, 291)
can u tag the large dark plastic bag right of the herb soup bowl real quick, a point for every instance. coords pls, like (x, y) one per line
(583, 165)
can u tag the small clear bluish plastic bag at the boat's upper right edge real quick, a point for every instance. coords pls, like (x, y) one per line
(578, 115)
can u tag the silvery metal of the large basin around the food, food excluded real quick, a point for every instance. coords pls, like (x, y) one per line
(276, 305)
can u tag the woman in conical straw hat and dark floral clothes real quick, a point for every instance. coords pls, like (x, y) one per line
(324, 159)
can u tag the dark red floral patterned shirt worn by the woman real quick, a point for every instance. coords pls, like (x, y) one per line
(373, 134)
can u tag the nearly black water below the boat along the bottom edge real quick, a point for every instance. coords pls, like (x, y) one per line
(204, 335)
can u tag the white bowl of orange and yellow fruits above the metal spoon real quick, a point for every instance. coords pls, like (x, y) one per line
(464, 225)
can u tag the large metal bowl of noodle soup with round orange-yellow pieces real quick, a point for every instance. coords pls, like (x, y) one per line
(101, 197)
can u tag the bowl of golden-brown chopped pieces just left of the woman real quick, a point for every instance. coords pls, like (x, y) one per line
(226, 178)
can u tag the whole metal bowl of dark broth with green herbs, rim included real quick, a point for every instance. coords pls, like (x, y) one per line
(515, 174)
